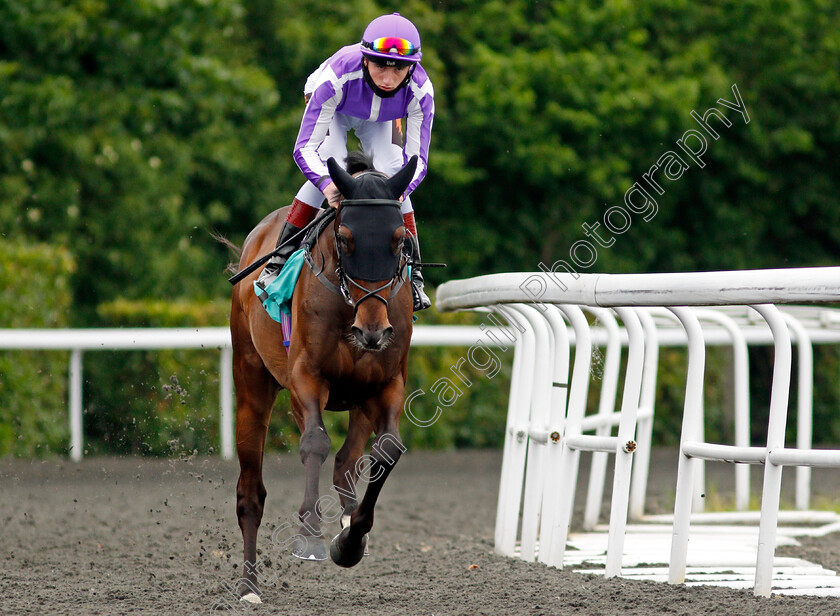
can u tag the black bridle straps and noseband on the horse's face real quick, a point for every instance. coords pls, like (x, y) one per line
(345, 281)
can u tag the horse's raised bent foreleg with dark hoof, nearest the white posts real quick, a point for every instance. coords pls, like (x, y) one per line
(348, 547)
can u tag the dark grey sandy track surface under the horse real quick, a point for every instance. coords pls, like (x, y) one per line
(146, 536)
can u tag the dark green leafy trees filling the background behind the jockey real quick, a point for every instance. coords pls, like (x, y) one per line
(131, 130)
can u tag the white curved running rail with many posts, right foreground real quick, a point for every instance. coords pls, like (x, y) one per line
(545, 430)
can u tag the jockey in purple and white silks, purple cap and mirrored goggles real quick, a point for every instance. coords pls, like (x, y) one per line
(365, 86)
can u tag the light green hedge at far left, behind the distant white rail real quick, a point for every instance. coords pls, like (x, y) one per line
(35, 284)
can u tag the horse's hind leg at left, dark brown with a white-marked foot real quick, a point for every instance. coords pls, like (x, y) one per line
(256, 390)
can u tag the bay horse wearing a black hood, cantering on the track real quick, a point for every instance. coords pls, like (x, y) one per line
(352, 324)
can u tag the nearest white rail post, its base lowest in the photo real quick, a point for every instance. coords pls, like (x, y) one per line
(776, 423)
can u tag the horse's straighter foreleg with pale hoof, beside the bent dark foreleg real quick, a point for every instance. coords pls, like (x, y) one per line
(309, 396)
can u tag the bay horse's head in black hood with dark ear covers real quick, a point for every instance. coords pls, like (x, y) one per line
(369, 240)
